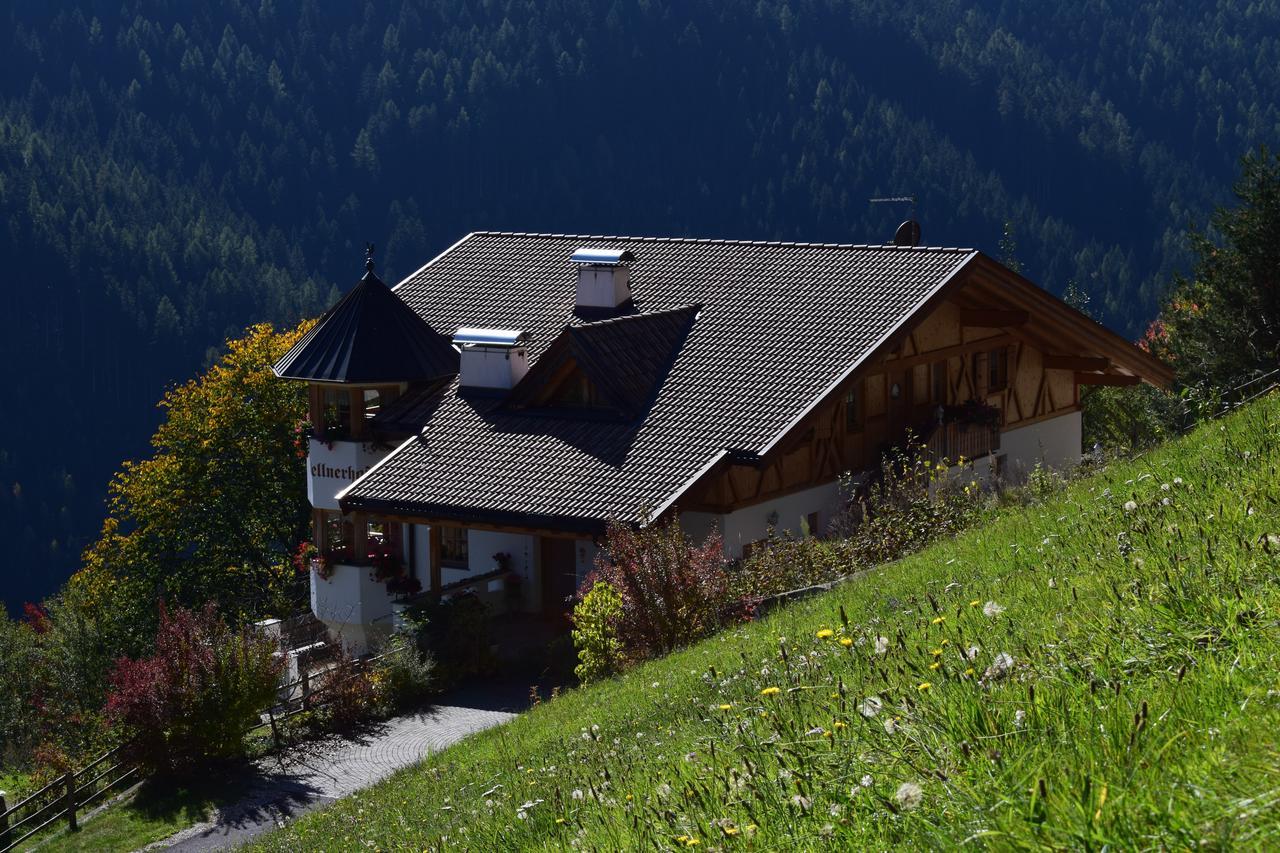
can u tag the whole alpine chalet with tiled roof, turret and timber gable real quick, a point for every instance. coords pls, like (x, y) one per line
(478, 426)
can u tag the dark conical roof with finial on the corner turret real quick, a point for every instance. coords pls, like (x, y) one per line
(371, 337)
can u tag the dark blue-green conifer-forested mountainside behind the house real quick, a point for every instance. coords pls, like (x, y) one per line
(171, 172)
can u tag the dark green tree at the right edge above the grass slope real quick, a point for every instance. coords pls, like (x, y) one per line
(1223, 326)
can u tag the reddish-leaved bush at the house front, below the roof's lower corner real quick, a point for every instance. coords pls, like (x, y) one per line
(674, 591)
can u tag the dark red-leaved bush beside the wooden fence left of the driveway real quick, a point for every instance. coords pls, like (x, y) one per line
(193, 701)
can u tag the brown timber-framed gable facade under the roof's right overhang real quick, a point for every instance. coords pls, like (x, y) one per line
(972, 345)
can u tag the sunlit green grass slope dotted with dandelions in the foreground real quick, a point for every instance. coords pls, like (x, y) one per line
(1096, 670)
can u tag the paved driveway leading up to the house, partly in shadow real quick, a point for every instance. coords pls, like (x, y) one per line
(281, 791)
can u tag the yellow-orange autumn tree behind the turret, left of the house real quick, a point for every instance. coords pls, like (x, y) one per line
(216, 512)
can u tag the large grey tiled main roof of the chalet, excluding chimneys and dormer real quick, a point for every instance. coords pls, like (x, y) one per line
(778, 326)
